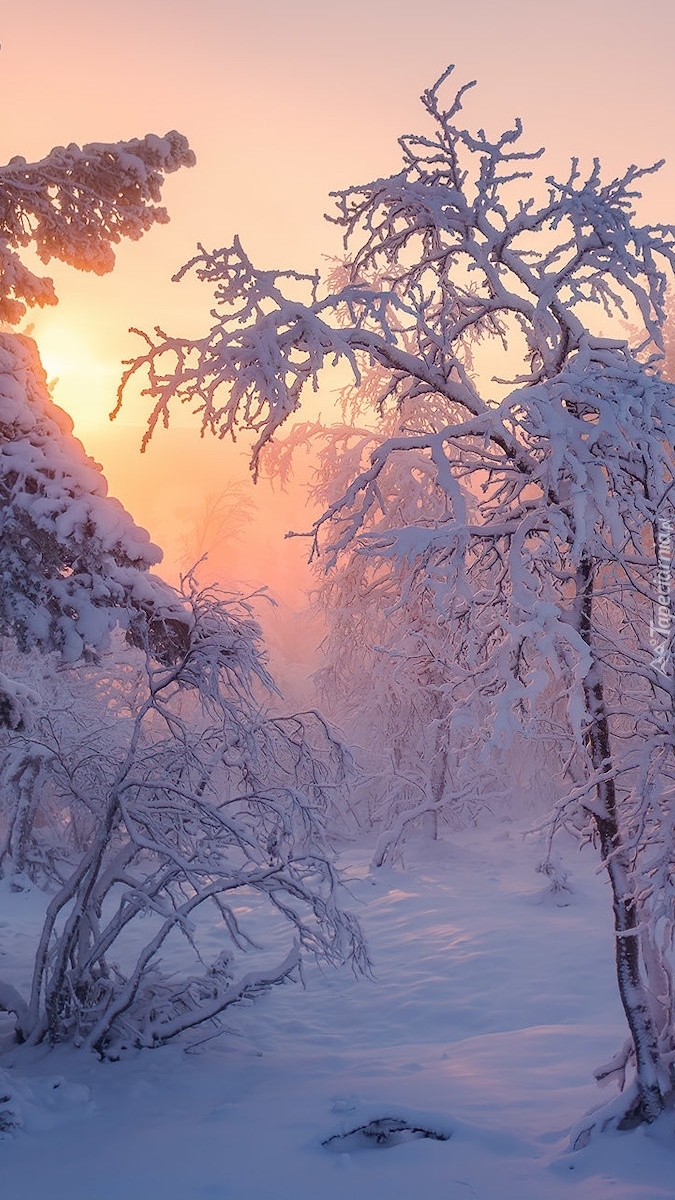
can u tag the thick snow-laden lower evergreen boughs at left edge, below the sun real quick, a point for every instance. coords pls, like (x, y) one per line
(74, 562)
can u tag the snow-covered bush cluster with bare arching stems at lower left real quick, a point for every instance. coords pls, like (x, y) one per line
(148, 795)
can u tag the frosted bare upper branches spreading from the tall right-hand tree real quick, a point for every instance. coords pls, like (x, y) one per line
(449, 251)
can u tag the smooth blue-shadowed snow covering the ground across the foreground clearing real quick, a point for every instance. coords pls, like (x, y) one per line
(489, 1010)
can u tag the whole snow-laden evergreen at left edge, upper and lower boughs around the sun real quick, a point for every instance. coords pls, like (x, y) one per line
(73, 562)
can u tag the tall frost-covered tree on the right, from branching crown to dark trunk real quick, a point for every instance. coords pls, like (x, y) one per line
(553, 557)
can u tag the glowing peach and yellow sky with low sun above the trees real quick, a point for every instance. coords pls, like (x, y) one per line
(284, 103)
